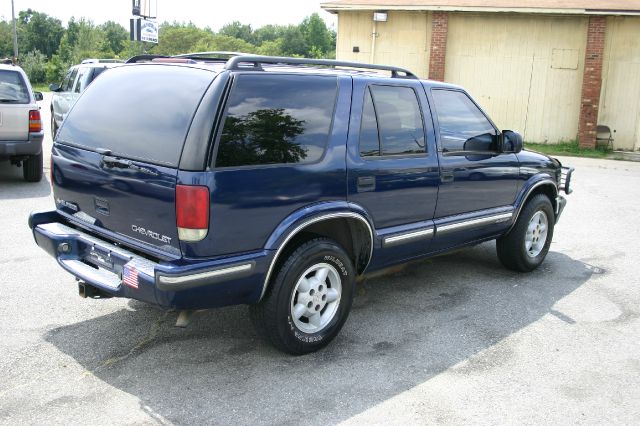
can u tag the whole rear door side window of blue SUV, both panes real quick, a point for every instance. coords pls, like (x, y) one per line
(391, 122)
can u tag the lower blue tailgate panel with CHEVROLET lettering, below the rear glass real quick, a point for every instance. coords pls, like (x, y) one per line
(137, 201)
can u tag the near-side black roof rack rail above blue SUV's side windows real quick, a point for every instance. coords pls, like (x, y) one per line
(235, 63)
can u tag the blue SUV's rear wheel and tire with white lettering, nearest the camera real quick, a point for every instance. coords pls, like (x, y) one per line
(299, 315)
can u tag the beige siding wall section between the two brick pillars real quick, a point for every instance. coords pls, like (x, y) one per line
(526, 71)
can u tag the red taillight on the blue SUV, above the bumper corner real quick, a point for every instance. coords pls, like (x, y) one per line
(192, 212)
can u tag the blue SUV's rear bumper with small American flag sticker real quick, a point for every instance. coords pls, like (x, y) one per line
(181, 285)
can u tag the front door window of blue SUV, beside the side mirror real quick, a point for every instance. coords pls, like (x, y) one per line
(463, 127)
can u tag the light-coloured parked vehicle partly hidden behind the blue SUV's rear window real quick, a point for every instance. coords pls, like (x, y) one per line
(75, 81)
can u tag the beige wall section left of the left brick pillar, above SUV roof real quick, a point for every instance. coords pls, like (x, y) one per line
(403, 40)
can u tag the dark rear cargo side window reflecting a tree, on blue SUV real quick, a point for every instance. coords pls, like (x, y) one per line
(273, 119)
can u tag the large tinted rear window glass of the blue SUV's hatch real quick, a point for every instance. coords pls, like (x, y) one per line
(141, 112)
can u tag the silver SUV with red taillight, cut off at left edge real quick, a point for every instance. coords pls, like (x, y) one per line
(20, 123)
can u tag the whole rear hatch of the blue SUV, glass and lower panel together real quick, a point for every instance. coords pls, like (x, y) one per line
(116, 156)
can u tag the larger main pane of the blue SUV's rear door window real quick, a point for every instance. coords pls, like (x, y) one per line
(399, 120)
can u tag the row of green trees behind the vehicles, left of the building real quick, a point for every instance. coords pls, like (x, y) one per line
(47, 49)
